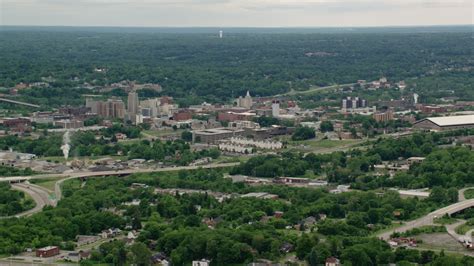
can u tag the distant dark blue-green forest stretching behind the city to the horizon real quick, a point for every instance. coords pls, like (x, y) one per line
(200, 66)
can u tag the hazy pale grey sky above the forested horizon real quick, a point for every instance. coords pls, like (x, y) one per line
(228, 13)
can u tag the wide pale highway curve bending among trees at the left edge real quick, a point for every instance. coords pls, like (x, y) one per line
(40, 195)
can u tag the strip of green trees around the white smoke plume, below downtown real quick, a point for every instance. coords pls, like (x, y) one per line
(104, 143)
